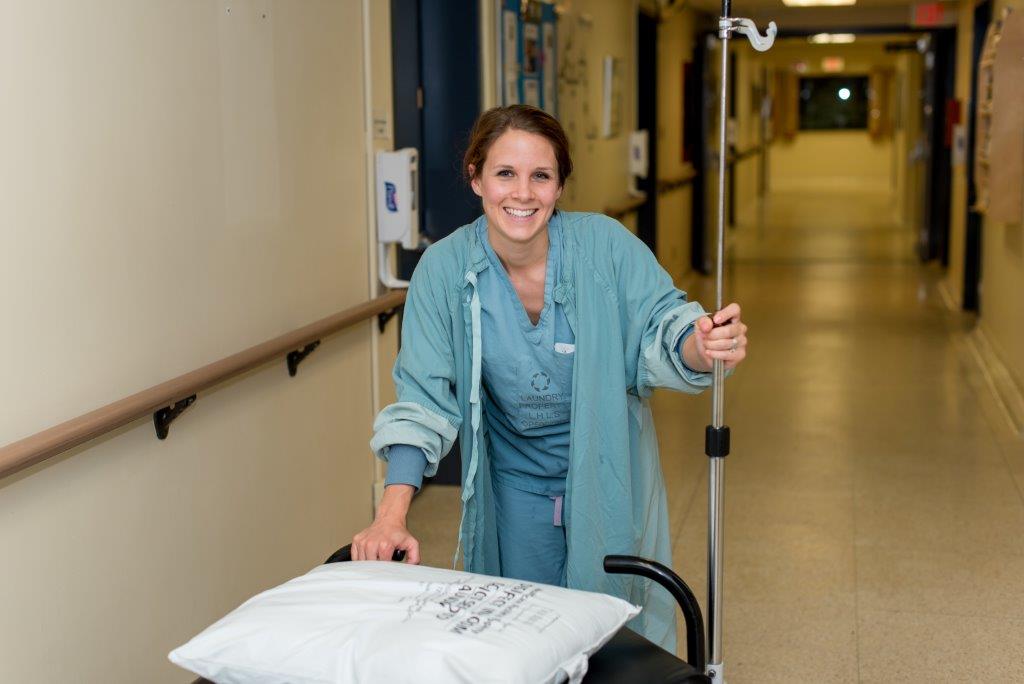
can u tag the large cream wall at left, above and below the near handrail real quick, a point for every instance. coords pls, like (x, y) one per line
(182, 183)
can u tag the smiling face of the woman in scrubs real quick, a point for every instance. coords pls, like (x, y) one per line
(519, 186)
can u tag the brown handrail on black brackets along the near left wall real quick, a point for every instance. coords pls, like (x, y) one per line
(33, 450)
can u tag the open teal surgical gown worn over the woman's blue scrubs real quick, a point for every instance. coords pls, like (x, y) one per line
(628, 318)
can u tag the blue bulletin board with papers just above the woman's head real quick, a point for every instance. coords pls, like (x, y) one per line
(530, 55)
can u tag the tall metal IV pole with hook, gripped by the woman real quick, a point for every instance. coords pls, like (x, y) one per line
(717, 435)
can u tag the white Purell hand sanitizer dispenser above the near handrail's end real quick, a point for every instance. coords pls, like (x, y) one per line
(398, 209)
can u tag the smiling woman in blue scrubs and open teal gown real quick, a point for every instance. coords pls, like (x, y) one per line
(537, 336)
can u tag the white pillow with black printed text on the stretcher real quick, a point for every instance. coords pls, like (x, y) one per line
(386, 622)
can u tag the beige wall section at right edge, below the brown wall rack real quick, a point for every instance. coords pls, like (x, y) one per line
(1003, 277)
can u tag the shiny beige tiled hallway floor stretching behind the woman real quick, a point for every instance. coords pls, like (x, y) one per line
(875, 517)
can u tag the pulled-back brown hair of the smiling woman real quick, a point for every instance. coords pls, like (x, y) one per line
(493, 124)
